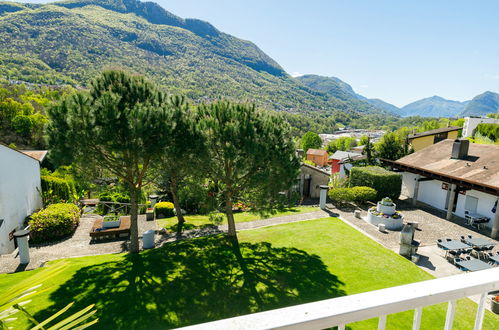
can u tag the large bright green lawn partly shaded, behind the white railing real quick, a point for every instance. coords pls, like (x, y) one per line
(203, 279)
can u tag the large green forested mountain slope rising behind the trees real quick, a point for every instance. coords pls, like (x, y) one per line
(69, 42)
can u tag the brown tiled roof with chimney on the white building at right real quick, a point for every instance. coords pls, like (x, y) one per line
(481, 166)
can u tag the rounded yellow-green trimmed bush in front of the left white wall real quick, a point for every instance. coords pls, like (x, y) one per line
(55, 221)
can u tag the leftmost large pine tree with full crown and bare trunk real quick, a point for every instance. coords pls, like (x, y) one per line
(121, 124)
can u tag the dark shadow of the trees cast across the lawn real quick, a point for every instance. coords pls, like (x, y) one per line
(194, 281)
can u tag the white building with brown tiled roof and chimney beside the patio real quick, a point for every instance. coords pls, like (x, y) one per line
(454, 175)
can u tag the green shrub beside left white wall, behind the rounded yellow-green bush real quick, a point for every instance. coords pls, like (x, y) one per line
(57, 190)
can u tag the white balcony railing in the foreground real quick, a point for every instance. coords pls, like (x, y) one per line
(344, 310)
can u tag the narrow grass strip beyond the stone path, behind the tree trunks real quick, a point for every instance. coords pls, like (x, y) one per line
(196, 221)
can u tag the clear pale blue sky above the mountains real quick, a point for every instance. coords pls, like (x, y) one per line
(399, 51)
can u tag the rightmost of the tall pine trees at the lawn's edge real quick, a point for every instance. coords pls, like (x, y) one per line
(250, 155)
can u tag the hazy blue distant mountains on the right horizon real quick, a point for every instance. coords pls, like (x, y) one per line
(434, 106)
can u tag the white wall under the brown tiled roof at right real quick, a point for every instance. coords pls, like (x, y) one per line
(431, 193)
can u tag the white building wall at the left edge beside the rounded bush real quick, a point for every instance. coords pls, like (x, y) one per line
(19, 192)
